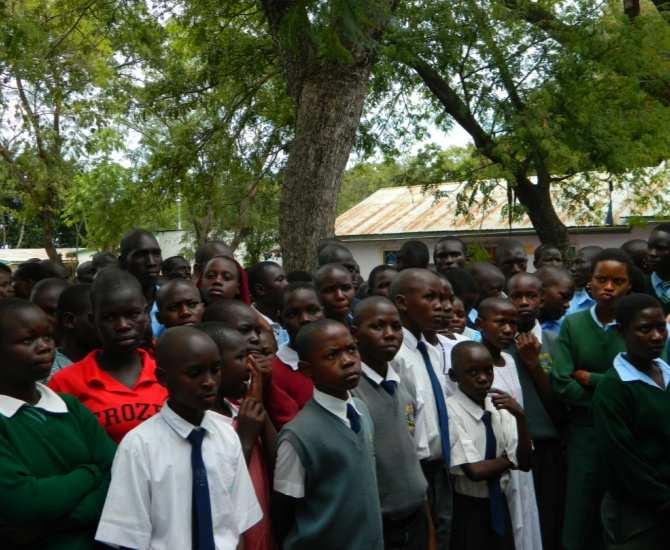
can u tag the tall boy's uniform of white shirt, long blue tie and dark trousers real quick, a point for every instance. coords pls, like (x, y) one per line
(420, 363)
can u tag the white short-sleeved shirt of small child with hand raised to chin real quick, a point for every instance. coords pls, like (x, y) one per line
(468, 440)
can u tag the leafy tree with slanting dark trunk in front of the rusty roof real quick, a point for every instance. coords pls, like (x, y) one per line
(540, 109)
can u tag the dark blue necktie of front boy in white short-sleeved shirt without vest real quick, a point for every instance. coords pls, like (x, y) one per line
(202, 531)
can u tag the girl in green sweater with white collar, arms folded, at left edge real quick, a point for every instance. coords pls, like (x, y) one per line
(55, 458)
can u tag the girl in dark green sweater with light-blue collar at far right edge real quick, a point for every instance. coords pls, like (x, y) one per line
(631, 407)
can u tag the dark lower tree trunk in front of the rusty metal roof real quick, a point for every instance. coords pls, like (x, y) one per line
(537, 201)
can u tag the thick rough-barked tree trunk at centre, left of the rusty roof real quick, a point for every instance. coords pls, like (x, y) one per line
(328, 113)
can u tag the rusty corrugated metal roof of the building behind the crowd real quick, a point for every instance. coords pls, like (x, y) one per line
(398, 210)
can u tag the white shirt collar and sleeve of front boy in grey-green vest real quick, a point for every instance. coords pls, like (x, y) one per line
(289, 477)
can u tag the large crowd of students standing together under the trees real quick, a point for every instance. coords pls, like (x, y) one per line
(460, 404)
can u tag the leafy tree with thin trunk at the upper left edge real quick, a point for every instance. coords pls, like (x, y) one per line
(56, 67)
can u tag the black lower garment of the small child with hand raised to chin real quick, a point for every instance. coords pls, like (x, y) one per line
(472, 526)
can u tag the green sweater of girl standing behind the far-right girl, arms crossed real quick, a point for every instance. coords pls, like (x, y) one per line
(582, 345)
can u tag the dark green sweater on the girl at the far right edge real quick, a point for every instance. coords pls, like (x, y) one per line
(633, 435)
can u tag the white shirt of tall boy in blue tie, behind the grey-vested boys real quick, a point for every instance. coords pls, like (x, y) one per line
(408, 362)
